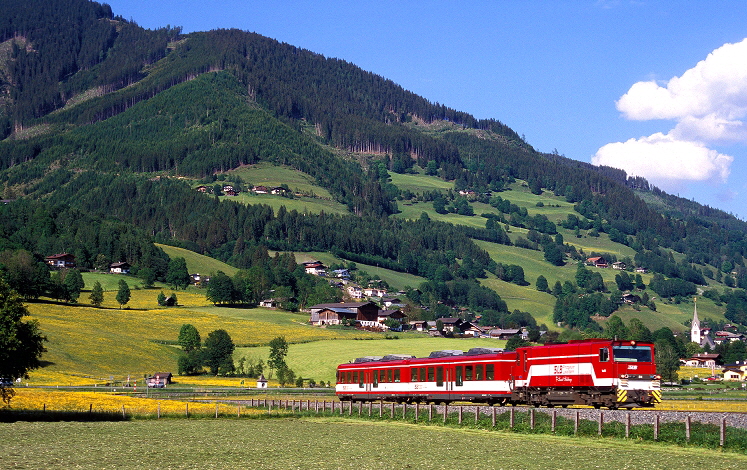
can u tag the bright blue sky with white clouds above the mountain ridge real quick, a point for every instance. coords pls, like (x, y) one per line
(658, 88)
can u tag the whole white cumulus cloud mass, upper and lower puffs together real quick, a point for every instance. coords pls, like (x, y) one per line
(708, 103)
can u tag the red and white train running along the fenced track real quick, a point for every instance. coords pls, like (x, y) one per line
(595, 372)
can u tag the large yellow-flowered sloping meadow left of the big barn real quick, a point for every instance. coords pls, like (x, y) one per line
(87, 344)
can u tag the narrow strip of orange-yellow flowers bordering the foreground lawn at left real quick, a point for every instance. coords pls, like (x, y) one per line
(35, 399)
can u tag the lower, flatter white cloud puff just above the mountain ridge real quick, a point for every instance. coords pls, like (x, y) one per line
(661, 158)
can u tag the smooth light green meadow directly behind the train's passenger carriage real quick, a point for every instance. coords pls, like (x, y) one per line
(319, 360)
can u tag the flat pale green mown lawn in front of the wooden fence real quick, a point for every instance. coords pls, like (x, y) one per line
(325, 443)
